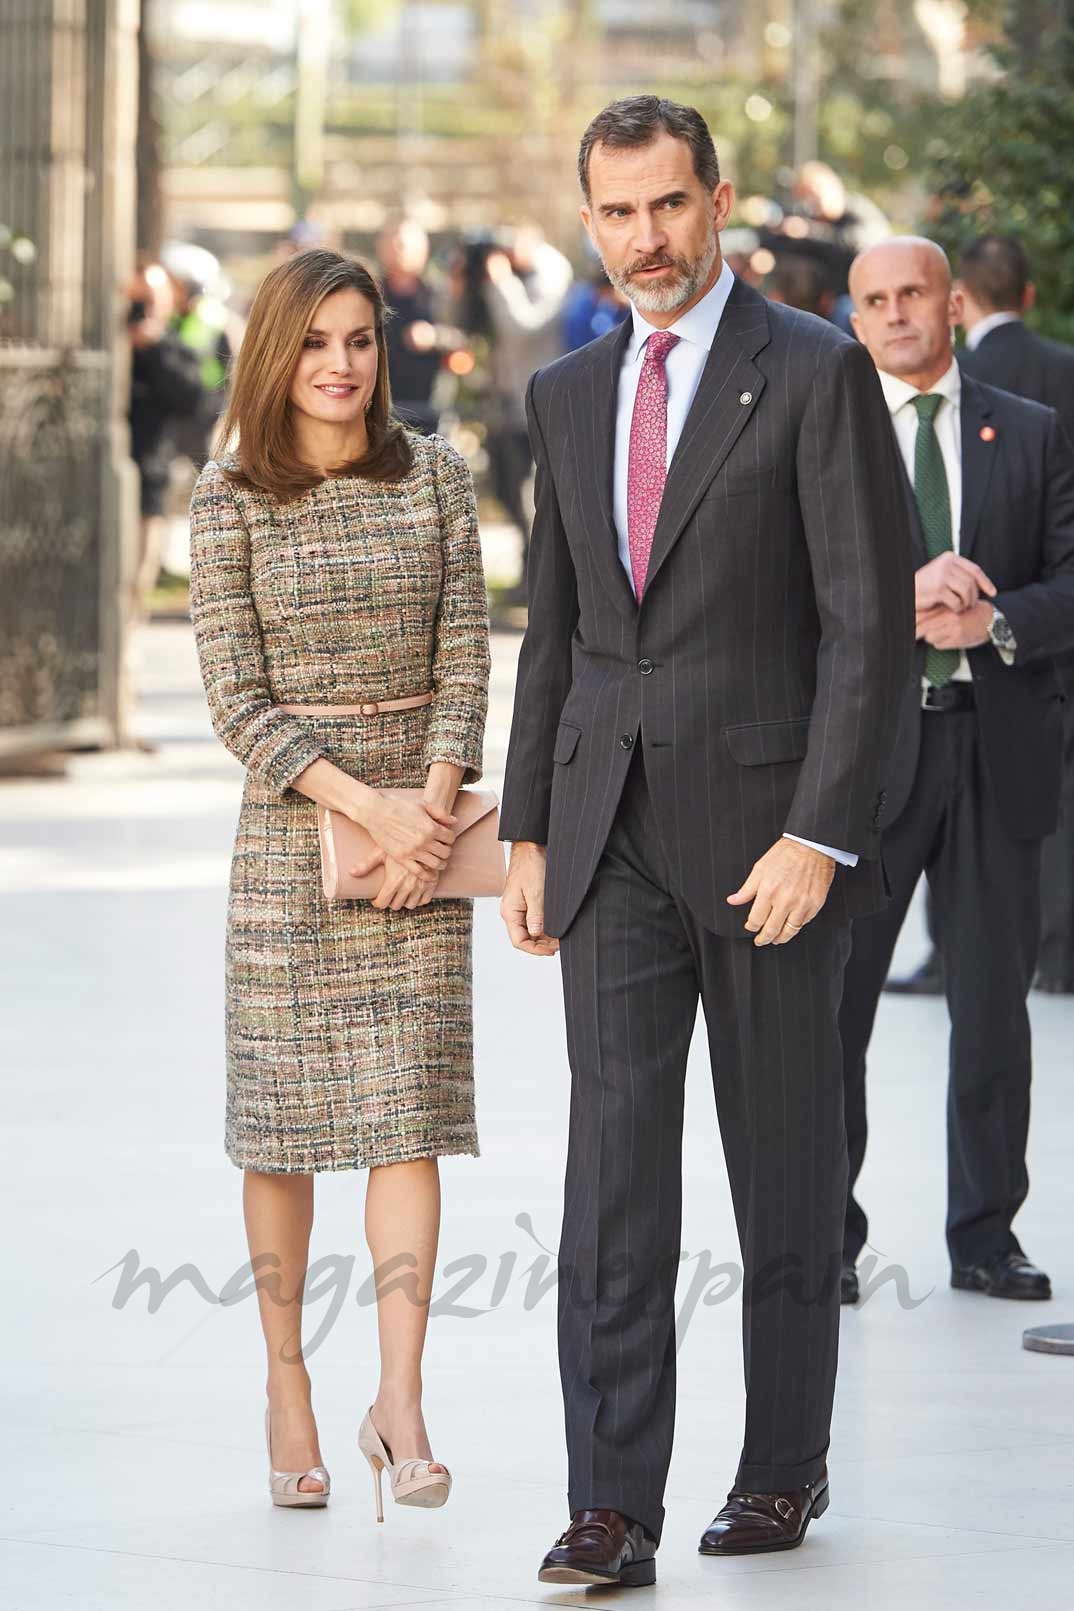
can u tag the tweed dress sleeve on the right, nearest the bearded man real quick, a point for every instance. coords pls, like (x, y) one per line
(461, 655)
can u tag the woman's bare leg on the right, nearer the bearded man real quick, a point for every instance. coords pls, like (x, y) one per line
(403, 1217)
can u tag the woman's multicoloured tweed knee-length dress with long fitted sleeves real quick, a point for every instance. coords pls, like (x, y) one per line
(349, 1030)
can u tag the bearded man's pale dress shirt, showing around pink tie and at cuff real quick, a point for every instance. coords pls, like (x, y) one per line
(684, 367)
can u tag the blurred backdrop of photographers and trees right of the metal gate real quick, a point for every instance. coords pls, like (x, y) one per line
(439, 143)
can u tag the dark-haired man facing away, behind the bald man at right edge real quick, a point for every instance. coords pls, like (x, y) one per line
(1004, 352)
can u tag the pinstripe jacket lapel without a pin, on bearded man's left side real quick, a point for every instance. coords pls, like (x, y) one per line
(593, 429)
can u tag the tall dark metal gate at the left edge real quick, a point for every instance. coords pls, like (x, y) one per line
(68, 492)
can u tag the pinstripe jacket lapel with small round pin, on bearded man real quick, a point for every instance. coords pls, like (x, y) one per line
(727, 396)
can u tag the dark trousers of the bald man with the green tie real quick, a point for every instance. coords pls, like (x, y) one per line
(986, 892)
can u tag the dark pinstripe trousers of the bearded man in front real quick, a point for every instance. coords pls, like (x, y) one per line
(635, 964)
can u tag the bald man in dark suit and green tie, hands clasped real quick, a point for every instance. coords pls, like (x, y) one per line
(975, 782)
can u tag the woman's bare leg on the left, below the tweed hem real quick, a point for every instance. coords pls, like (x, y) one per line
(279, 1212)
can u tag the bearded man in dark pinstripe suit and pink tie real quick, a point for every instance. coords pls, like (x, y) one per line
(721, 627)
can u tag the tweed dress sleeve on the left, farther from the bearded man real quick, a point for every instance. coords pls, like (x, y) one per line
(270, 743)
